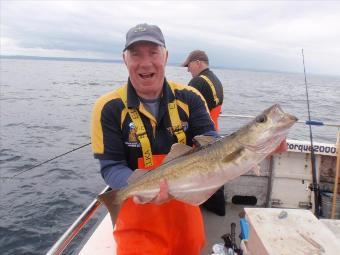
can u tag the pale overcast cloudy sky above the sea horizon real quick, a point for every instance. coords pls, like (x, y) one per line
(263, 35)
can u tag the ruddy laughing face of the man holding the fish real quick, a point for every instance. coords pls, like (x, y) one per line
(146, 62)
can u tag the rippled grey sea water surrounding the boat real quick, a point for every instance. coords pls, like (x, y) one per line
(46, 109)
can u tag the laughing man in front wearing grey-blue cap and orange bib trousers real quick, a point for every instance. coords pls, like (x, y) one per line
(134, 127)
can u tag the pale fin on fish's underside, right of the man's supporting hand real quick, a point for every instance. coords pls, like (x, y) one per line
(196, 198)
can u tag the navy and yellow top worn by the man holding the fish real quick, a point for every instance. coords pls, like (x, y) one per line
(114, 134)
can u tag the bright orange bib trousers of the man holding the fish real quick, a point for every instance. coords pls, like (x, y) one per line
(169, 229)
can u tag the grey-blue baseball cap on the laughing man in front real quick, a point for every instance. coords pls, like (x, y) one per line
(146, 33)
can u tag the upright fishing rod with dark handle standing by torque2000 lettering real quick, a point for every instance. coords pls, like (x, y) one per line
(315, 185)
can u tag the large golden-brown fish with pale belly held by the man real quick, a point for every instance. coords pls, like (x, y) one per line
(194, 174)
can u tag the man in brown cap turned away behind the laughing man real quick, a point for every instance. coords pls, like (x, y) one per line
(206, 82)
